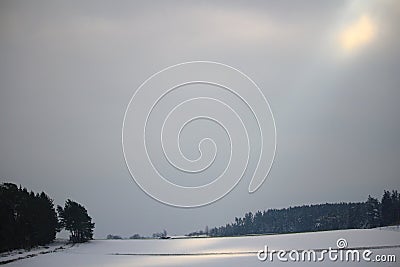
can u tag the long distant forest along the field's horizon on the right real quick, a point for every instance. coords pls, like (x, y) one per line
(308, 218)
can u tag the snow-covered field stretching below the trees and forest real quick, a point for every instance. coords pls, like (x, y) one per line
(229, 251)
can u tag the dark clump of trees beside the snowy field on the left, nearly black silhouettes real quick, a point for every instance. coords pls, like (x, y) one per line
(28, 219)
